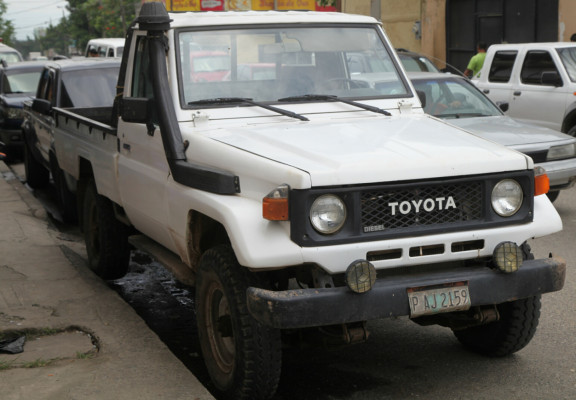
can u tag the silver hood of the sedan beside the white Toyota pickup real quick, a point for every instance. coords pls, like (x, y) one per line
(509, 132)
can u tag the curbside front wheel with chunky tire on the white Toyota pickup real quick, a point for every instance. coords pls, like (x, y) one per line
(243, 357)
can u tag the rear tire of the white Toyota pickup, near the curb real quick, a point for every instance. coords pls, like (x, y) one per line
(106, 238)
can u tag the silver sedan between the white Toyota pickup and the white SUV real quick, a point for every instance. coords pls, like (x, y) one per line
(459, 102)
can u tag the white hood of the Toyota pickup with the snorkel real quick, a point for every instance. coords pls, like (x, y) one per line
(369, 150)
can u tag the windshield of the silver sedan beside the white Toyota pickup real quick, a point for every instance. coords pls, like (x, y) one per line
(454, 98)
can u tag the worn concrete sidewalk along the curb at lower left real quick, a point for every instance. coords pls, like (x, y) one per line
(84, 341)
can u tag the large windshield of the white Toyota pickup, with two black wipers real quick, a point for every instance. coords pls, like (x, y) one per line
(273, 63)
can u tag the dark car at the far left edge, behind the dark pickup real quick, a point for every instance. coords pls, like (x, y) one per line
(18, 83)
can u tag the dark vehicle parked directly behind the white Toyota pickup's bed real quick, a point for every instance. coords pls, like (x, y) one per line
(82, 83)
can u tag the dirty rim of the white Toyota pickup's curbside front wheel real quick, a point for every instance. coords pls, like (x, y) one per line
(219, 329)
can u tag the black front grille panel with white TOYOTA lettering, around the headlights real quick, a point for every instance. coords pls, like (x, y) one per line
(410, 209)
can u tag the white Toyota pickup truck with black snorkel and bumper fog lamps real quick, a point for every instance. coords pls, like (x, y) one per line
(298, 191)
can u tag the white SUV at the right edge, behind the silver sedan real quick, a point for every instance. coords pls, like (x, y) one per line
(537, 80)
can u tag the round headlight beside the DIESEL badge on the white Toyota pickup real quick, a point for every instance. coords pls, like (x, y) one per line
(328, 214)
